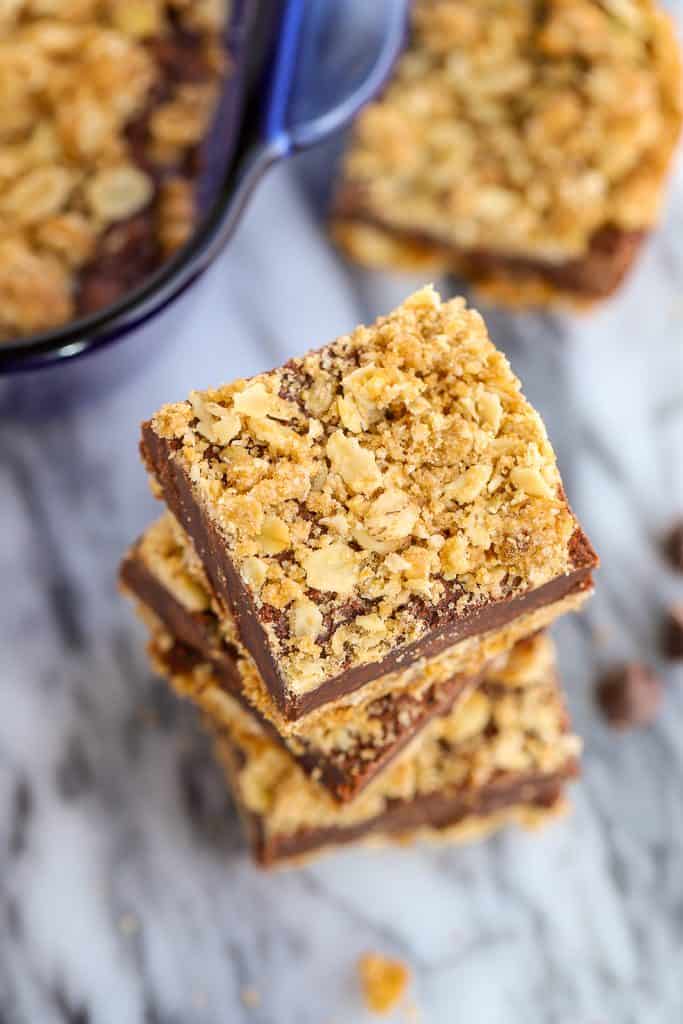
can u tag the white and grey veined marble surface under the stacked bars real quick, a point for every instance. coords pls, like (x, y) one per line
(125, 891)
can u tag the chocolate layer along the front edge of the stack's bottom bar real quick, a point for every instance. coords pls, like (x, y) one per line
(438, 810)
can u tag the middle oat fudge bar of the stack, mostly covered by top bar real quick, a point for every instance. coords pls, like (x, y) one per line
(343, 745)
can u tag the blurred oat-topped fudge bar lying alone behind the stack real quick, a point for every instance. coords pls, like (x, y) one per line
(522, 144)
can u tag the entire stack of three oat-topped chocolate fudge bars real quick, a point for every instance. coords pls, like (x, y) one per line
(361, 554)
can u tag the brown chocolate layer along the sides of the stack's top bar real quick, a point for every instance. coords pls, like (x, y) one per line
(445, 627)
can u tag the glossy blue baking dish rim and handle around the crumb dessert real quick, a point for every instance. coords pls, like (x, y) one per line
(303, 71)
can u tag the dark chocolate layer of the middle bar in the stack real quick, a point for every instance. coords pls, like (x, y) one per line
(345, 775)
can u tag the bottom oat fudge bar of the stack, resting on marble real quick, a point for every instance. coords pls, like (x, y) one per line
(505, 755)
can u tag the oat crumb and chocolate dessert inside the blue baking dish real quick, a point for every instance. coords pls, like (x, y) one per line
(104, 108)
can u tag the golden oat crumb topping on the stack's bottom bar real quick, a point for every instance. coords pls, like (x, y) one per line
(499, 733)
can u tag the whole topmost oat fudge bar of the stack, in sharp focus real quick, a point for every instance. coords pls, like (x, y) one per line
(373, 503)
